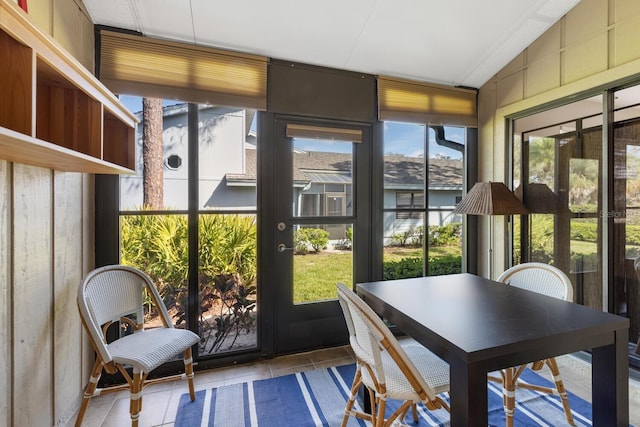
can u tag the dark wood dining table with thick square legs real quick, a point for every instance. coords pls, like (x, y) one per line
(478, 326)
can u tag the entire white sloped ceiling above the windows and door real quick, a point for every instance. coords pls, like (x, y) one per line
(453, 42)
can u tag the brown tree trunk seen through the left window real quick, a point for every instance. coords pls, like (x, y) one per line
(152, 153)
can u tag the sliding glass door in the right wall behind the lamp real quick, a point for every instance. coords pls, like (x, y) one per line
(584, 197)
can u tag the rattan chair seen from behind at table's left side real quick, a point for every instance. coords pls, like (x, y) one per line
(409, 373)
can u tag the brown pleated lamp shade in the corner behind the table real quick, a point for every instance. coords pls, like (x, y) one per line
(490, 198)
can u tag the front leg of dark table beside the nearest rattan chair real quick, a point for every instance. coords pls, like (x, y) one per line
(468, 395)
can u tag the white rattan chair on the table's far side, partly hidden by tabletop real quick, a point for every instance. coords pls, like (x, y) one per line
(548, 280)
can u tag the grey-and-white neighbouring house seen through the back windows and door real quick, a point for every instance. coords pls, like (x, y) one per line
(322, 180)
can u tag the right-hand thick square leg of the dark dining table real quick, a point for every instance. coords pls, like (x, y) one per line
(610, 382)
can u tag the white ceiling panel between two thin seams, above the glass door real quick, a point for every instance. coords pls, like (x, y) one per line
(283, 29)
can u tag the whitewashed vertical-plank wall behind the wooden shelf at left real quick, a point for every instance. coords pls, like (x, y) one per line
(46, 246)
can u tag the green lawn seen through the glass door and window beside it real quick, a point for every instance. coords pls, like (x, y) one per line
(316, 275)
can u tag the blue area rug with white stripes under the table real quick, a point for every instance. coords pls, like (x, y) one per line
(317, 398)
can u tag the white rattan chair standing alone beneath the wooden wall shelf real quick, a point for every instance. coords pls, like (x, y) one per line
(111, 294)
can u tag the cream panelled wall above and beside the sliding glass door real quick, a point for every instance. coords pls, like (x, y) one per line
(595, 44)
